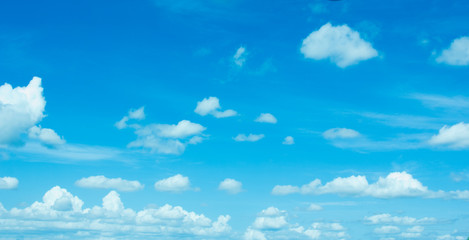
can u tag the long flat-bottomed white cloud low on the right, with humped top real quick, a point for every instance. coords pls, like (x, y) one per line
(395, 184)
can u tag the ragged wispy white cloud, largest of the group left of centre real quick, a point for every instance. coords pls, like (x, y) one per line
(167, 138)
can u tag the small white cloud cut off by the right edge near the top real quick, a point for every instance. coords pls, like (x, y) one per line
(457, 54)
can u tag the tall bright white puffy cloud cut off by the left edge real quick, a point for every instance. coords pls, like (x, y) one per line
(20, 109)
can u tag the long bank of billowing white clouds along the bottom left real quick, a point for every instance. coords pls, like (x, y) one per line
(59, 210)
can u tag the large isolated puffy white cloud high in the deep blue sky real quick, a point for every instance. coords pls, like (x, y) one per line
(340, 44)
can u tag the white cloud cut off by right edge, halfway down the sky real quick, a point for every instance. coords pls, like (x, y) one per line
(456, 136)
